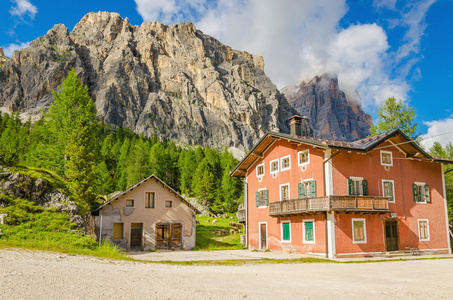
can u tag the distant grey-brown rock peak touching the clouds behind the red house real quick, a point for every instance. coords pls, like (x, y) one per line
(331, 114)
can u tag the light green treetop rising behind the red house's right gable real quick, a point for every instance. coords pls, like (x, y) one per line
(394, 114)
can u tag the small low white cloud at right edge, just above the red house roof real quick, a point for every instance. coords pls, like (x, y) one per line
(438, 131)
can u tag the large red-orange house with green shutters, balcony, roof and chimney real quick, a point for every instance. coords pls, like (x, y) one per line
(367, 197)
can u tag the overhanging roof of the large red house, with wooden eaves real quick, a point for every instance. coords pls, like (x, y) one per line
(396, 137)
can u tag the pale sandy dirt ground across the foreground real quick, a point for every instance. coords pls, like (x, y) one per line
(28, 274)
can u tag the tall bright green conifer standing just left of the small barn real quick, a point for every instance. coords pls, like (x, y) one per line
(72, 120)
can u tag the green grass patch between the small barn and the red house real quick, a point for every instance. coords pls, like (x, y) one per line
(207, 238)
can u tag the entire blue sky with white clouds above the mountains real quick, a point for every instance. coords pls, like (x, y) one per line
(382, 48)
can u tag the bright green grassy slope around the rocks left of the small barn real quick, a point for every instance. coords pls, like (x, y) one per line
(33, 227)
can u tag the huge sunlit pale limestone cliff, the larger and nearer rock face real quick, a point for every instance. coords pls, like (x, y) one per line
(171, 80)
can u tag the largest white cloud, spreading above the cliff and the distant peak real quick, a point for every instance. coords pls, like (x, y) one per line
(299, 39)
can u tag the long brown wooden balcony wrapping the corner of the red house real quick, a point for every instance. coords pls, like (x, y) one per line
(346, 204)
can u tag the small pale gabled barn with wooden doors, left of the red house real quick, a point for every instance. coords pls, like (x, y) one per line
(149, 215)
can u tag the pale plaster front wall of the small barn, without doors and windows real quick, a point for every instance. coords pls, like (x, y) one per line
(117, 211)
